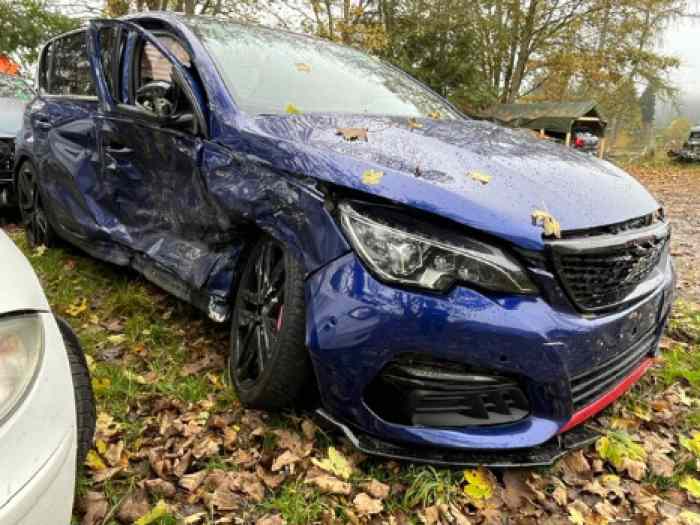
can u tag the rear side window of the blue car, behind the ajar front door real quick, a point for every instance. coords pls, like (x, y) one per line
(69, 70)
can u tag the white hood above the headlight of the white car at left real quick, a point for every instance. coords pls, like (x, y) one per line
(19, 284)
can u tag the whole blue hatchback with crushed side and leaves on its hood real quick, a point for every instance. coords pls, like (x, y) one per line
(458, 292)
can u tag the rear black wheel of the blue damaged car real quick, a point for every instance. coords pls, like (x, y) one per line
(34, 219)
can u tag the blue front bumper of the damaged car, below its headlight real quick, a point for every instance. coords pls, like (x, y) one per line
(357, 325)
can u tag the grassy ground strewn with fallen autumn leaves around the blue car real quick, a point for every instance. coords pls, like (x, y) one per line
(173, 445)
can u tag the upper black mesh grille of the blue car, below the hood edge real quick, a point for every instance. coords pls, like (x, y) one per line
(600, 273)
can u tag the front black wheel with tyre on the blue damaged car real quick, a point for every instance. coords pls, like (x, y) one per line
(272, 312)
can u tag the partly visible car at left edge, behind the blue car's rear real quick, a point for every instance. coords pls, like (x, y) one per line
(15, 92)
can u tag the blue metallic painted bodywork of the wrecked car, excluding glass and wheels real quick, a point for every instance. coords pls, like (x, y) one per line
(183, 209)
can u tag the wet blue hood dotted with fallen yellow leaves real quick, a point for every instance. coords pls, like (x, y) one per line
(475, 173)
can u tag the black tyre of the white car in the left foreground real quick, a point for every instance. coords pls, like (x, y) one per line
(82, 389)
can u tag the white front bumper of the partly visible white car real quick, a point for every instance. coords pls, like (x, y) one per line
(38, 444)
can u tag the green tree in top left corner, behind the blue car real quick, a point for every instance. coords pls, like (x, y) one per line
(26, 24)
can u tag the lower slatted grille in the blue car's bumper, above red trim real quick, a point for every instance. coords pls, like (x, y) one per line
(590, 385)
